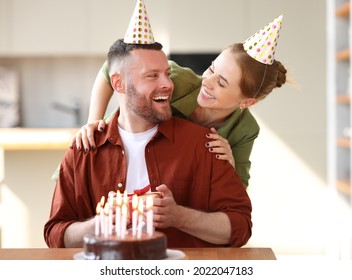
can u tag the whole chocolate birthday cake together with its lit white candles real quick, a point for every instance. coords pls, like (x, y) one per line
(117, 239)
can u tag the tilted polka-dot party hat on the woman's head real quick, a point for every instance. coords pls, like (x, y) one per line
(262, 45)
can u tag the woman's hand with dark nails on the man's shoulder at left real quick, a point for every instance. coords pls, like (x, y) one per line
(85, 136)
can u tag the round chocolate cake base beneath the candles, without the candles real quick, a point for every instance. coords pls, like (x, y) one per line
(146, 247)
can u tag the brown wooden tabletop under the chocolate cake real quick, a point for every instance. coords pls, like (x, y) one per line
(191, 254)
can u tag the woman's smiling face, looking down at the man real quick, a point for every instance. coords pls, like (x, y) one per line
(220, 87)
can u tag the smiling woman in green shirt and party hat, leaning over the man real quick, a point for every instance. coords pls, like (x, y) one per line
(236, 80)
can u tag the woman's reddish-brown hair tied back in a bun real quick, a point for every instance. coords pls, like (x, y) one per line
(258, 79)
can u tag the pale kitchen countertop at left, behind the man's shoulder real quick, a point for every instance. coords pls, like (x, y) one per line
(36, 138)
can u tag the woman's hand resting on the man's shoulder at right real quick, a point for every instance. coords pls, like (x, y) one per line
(220, 146)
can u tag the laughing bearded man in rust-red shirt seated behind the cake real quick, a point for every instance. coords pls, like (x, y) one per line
(204, 202)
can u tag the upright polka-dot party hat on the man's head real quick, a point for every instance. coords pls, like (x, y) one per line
(139, 30)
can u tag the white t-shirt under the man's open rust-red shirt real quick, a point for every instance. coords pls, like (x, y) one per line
(134, 143)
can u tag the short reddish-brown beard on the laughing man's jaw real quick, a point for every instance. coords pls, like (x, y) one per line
(143, 107)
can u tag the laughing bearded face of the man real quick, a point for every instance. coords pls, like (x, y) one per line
(148, 85)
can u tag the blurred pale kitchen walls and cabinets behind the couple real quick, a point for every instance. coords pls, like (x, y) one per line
(54, 49)
